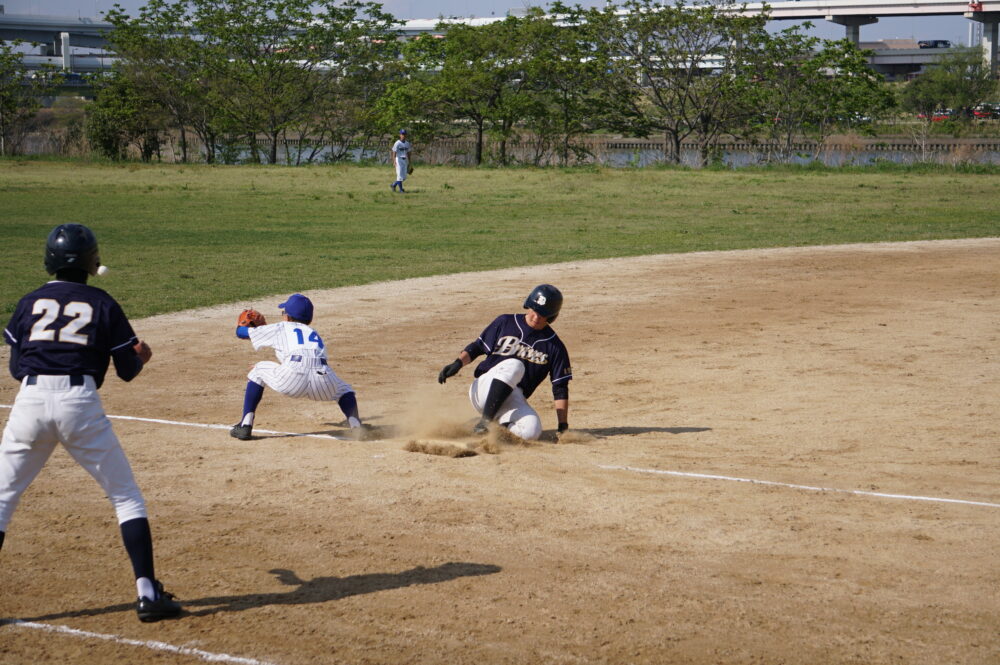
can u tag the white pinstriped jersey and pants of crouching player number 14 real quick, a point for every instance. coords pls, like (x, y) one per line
(302, 369)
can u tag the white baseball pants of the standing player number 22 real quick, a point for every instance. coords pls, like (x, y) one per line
(52, 411)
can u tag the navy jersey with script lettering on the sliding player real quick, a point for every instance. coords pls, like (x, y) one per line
(541, 351)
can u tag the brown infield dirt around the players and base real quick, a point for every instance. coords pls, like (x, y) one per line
(866, 368)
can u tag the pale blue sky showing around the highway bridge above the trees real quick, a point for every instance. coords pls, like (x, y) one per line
(953, 28)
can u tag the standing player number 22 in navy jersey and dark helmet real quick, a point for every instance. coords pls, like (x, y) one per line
(63, 337)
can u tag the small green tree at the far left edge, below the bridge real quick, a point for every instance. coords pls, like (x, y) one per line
(20, 95)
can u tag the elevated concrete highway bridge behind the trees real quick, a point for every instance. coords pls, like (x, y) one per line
(58, 34)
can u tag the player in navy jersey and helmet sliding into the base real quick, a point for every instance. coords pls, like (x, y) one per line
(521, 350)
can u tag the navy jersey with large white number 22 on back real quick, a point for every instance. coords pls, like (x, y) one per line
(69, 328)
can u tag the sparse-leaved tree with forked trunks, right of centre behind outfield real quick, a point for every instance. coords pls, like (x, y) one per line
(676, 68)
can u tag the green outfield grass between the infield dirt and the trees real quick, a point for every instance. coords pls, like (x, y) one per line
(182, 236)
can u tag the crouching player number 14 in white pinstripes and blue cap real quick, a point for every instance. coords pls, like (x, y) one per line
(301, 370)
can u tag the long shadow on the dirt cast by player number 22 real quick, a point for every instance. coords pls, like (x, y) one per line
(316, 590)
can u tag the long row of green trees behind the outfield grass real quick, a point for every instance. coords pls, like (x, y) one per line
(233, 72)
